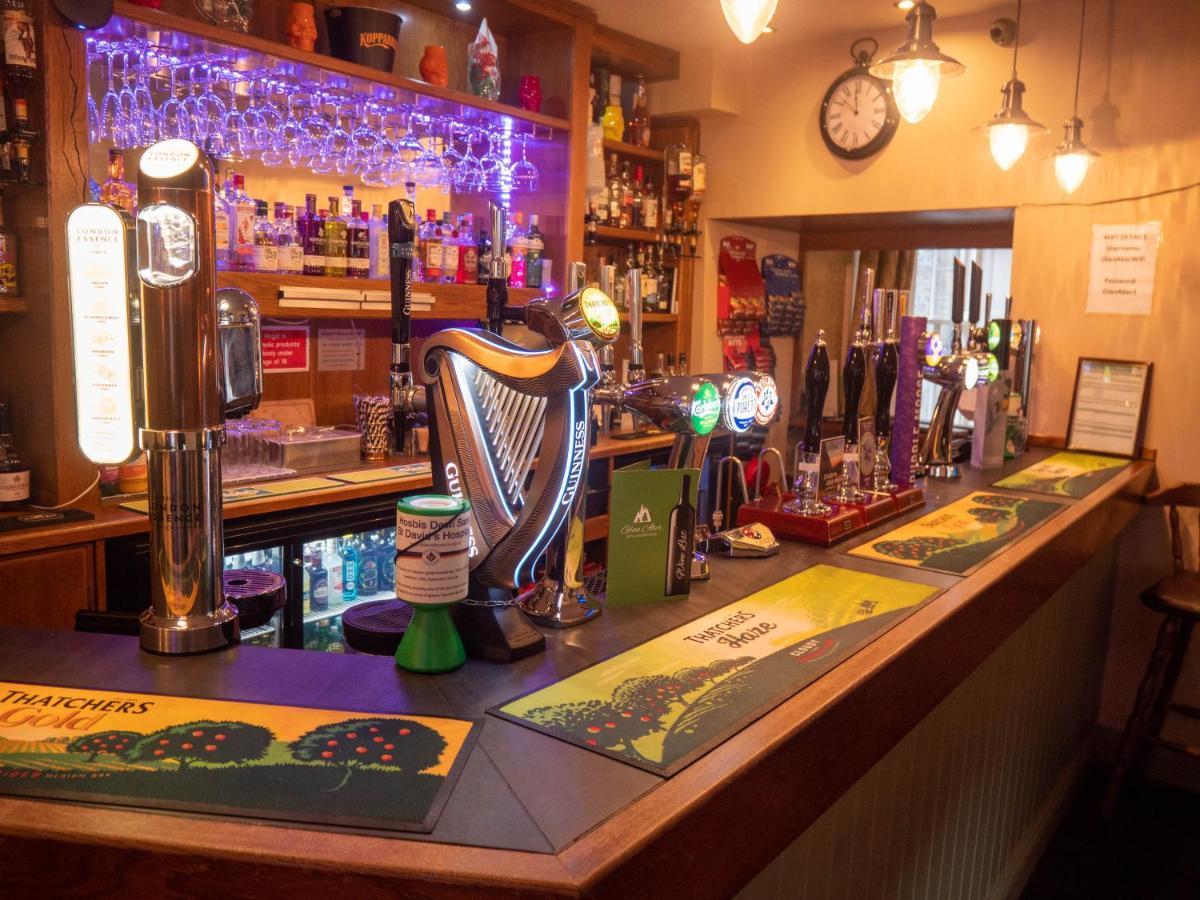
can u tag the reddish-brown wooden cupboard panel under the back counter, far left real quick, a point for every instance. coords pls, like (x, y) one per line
(45, 590)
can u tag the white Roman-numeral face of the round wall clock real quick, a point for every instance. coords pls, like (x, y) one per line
(859, 116)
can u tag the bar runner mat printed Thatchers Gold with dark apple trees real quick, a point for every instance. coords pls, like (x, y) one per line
(327, 767)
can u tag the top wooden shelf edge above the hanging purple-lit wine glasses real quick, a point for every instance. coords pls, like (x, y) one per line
(283, 52)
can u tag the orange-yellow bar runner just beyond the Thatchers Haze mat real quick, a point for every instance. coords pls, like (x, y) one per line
(961, 537)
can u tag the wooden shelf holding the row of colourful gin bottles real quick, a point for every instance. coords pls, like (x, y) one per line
(452, 302)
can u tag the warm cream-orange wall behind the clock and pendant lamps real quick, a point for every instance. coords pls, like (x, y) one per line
(1141, 88)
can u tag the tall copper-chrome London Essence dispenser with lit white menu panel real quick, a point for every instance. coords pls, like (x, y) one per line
(181, 407)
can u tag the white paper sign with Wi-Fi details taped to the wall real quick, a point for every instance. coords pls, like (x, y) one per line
(1123, 275)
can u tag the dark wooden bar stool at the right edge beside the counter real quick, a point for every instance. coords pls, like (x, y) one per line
(1178, 597)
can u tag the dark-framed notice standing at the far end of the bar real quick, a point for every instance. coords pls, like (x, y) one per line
(1108, 411)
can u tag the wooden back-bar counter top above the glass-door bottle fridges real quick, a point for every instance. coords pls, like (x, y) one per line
(115, 521)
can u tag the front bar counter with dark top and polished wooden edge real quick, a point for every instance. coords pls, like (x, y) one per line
(535, 817)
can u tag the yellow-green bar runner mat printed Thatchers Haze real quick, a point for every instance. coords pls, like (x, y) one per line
(665, 704)
